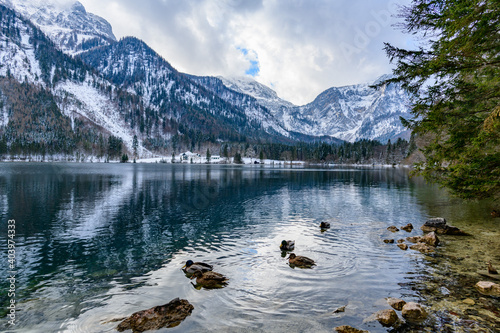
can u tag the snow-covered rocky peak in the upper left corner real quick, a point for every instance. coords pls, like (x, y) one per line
(69, 26)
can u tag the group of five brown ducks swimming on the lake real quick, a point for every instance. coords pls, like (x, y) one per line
(207, 278)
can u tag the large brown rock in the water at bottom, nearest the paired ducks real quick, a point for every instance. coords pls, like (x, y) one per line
(167, 315)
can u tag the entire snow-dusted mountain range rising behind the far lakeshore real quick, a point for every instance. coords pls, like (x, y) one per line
(124, 89)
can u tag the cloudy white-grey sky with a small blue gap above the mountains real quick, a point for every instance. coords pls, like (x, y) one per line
(297, 47)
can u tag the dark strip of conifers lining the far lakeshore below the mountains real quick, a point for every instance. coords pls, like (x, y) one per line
(113, 148)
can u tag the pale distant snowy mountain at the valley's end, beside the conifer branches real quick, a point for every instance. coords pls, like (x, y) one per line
(349, 113)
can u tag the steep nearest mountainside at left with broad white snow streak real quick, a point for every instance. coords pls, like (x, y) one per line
(76, 99)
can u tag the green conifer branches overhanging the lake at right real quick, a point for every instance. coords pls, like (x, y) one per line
(455, 83)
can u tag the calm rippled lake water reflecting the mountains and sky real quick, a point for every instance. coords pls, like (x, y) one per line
(96, 242)
